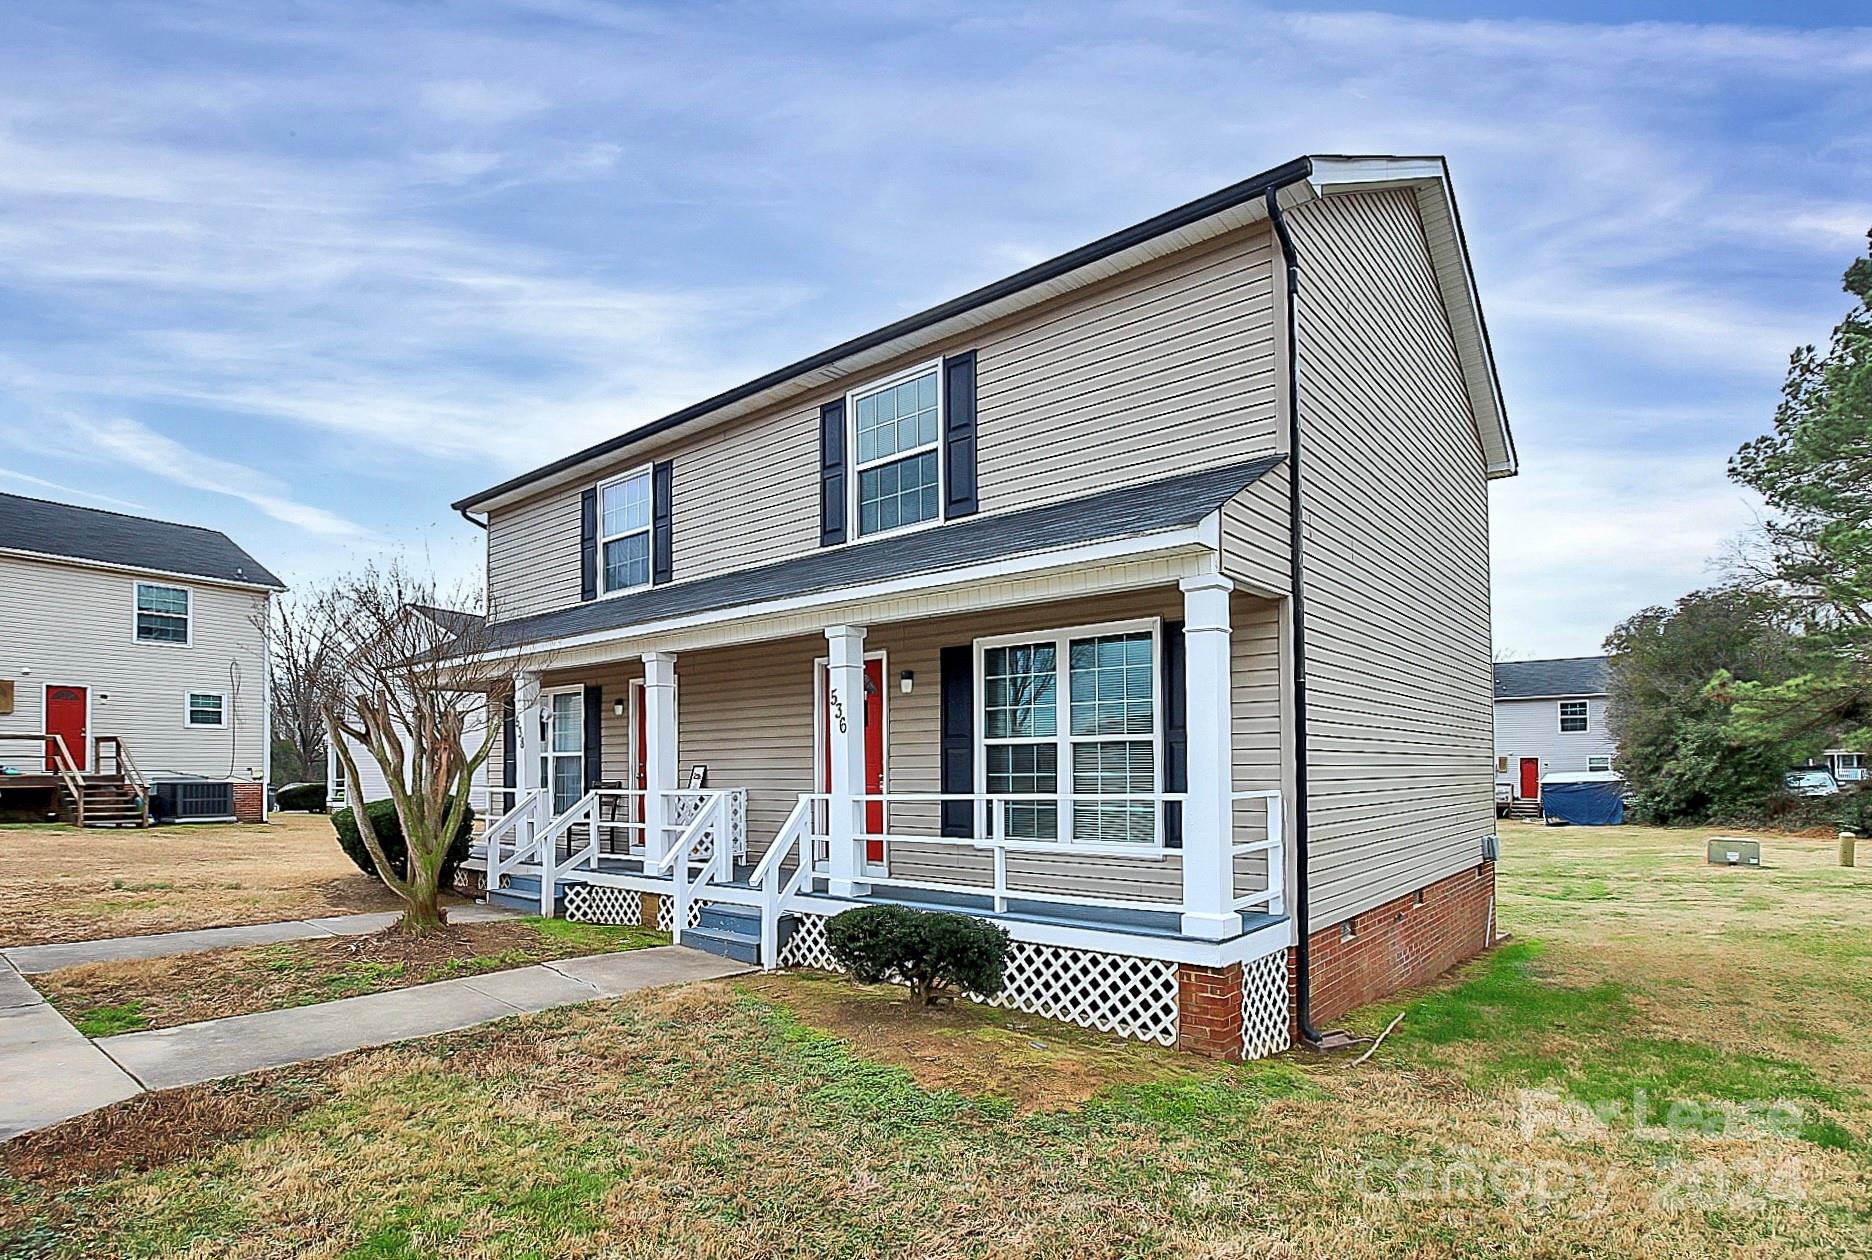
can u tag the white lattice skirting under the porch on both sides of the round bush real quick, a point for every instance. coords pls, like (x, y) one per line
(1107, 991)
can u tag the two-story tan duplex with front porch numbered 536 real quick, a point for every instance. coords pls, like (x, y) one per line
(993, 609)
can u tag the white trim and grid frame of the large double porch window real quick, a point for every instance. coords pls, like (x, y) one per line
(1064, 737)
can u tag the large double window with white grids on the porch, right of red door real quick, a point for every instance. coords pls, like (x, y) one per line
(1107, 742)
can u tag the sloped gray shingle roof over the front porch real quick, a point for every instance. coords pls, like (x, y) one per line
(1148, 508)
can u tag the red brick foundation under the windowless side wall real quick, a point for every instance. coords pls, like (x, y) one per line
(1401, 943)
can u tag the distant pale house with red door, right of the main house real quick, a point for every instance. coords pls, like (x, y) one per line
(1551, 718)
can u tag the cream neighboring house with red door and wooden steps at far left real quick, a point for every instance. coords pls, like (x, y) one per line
(132, 654)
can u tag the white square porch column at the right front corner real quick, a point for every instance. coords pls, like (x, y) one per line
(1208, 823)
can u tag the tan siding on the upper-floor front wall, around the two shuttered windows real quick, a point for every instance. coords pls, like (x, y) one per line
(1152, 374)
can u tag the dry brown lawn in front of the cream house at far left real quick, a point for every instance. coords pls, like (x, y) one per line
(66, 885)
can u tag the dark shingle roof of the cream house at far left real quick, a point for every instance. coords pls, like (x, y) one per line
(100, 536)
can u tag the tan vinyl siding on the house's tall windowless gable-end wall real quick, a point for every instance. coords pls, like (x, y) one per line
(1397, 564)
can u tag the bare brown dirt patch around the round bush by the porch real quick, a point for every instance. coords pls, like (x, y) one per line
(976, 1051)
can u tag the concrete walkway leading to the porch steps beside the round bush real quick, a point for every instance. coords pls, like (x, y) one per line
(227, 1048)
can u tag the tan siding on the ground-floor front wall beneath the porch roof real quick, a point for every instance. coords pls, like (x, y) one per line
(748, 714)
